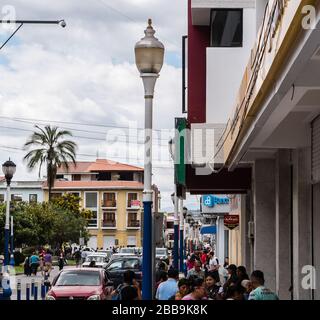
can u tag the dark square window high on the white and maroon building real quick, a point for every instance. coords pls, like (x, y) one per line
(226, 28)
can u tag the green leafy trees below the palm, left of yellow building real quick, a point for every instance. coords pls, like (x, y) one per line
(39, 224)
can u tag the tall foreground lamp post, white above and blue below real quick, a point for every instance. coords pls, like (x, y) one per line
(149, 54)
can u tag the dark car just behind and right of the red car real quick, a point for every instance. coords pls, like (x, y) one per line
(116, 267)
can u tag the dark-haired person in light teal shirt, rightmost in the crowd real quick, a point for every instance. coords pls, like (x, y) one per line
(260, 292)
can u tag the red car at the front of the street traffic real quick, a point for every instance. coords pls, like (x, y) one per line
(80, 284)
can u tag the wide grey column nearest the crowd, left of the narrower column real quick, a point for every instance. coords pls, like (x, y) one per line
(264, 218)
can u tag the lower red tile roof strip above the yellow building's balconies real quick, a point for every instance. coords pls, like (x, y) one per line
(96, 185)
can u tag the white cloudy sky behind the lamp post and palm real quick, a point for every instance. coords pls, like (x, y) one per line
(85, 74)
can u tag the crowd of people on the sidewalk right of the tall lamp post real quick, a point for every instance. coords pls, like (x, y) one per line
(207, 279)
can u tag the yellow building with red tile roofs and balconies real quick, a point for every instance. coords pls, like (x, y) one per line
(113, 192)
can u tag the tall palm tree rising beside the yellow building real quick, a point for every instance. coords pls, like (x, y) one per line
(50, 149)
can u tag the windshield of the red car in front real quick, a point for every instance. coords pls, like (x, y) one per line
(79, 279)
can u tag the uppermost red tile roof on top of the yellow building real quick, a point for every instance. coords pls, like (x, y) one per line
(98, 165)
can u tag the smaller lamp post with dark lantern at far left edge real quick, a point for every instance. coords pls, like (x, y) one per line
(9, 169)
